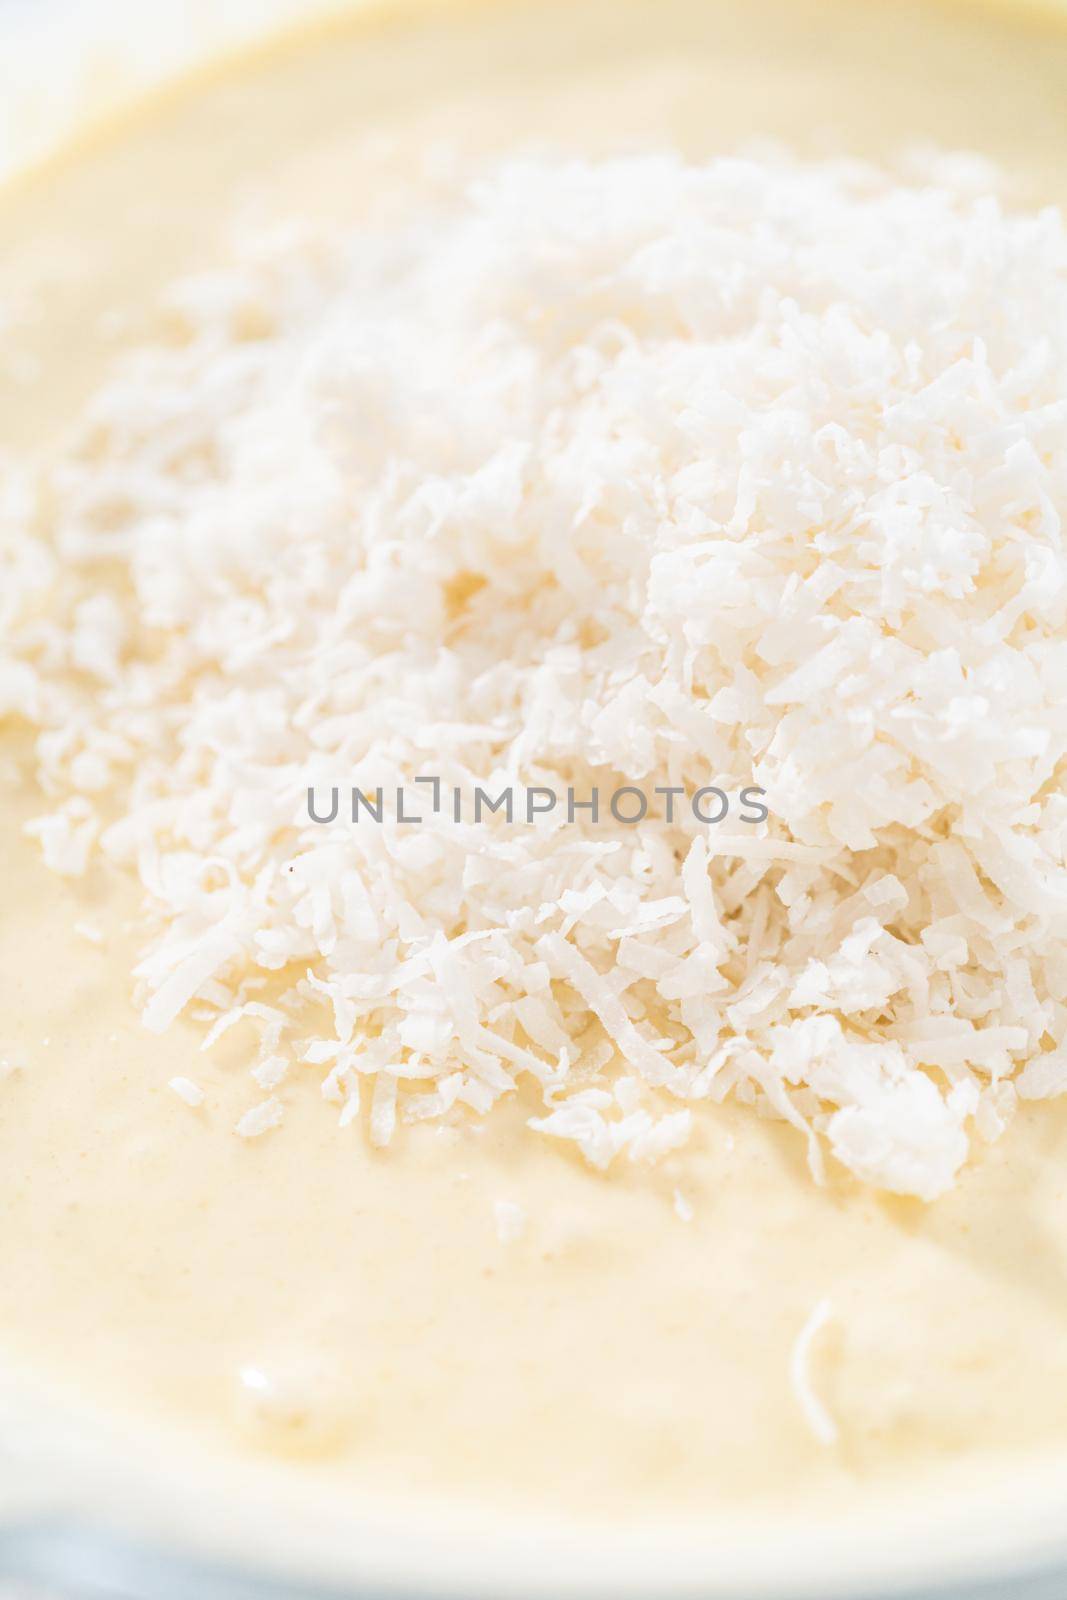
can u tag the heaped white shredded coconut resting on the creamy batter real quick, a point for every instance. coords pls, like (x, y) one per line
(605, 473)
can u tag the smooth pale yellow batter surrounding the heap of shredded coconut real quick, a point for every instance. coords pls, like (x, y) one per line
(351, 1314)
